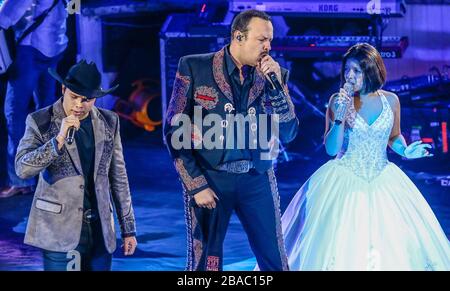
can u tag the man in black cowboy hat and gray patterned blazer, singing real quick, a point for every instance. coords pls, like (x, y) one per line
(71, 217)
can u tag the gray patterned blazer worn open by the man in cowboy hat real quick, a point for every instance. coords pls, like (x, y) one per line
(56, 213)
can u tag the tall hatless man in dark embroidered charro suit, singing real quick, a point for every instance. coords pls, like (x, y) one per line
(217, 180)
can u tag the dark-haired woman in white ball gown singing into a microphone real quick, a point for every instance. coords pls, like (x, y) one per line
(360, 211)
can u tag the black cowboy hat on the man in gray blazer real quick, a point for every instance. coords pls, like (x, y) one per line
(83, 79)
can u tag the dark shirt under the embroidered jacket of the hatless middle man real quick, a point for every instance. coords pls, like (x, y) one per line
(240, 96)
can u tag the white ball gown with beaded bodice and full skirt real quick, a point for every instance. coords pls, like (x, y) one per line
(361, 212)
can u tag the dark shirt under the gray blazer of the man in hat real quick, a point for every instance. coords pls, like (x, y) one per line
(84, 137)
